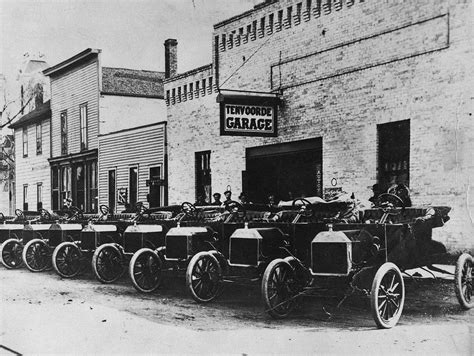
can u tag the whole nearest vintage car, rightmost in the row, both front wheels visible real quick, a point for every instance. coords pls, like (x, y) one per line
(368, 255)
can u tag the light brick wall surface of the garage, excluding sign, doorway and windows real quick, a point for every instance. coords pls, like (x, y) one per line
(341, 71)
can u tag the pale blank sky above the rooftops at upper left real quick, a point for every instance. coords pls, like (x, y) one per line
(130, 33)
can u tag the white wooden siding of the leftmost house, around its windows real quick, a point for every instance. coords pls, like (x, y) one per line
(33, 169)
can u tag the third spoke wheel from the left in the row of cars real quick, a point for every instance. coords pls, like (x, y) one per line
(67, 260)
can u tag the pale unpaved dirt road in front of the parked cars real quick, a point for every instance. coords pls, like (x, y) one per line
(42, 313)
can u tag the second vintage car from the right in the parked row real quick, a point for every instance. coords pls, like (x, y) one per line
(249, 241)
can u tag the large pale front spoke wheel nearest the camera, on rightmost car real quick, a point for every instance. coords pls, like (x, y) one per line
(387, 296)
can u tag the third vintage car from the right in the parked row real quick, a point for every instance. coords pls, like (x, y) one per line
(196, 231)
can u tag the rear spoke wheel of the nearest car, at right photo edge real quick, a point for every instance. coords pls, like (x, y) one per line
(463, 281)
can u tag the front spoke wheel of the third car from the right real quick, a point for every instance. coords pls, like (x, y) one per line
(145, 270)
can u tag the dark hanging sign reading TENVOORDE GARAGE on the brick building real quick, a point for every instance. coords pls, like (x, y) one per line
(248, 115)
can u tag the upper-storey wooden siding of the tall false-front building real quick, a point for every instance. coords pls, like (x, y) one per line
(68, 91)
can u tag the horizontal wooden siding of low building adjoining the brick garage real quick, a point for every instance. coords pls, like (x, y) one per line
(143, 147)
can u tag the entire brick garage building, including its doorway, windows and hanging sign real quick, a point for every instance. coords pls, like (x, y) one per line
(359, 92)
